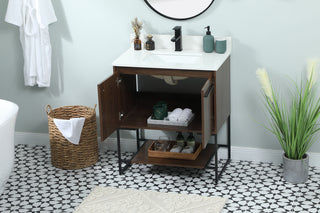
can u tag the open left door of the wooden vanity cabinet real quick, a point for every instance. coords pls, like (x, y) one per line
(109, 106)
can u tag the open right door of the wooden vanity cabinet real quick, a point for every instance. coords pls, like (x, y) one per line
(206, 111)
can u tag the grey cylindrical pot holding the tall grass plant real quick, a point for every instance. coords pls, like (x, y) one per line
(295, 171)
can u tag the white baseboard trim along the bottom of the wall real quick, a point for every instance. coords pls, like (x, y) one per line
(129, 145)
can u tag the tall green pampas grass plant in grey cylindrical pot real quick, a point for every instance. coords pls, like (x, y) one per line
(295, 124)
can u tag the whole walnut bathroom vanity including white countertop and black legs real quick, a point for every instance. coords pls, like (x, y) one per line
(123, 106)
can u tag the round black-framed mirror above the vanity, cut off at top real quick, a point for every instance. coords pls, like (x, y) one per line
(179, 9)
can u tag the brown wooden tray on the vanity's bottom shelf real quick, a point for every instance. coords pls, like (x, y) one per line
(174, 155)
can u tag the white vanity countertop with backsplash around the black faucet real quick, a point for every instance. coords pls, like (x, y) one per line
(191, 57)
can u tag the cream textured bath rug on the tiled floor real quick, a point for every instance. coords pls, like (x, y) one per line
(107, 199)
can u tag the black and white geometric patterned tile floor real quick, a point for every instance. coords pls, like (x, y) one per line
(36, 186)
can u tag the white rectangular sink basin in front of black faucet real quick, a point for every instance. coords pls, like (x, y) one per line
(174, 58)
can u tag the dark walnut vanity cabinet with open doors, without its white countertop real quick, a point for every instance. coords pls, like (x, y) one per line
(121, 106)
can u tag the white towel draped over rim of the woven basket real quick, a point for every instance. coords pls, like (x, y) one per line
(70, 129)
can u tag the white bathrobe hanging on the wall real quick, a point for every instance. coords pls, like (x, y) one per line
(33, 17)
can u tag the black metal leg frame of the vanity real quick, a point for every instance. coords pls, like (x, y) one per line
(218, 174)
